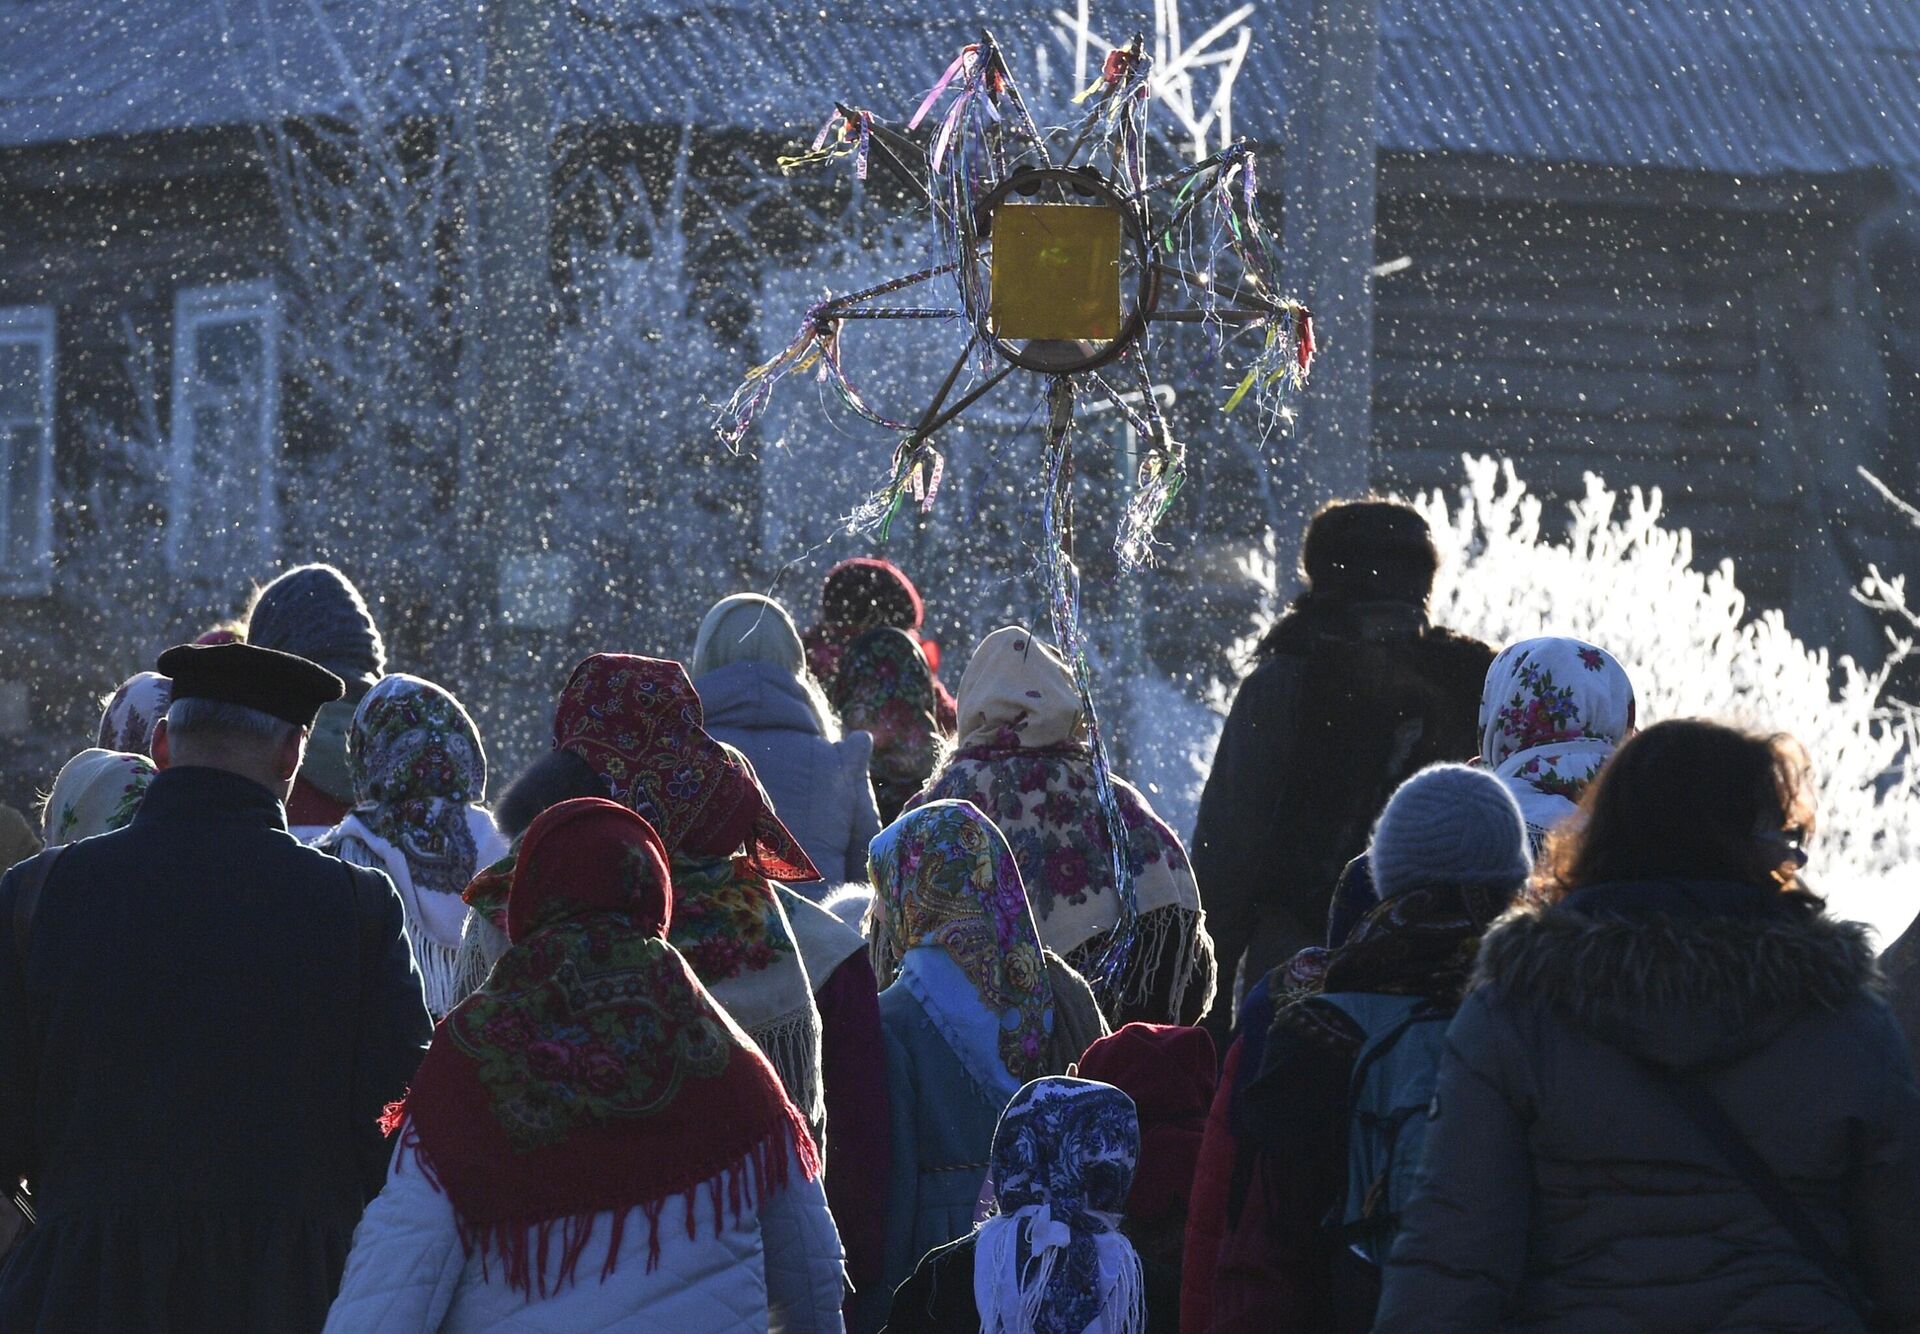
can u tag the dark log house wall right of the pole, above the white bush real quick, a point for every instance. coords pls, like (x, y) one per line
(1644, 329)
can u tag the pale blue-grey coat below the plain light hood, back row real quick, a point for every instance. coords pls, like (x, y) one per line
(821, 788)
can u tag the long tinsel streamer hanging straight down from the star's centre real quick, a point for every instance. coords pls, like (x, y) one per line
(1063, 604)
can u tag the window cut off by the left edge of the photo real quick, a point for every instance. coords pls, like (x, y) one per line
(26, 450)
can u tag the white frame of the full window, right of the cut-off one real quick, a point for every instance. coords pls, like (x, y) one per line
(222, 304)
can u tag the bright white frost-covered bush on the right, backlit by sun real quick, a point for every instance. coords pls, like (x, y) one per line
(1625, 581)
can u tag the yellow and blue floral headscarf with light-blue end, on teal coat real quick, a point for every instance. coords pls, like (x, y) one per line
(946, 884)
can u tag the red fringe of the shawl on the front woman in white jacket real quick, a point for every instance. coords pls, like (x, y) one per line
(523, 1251)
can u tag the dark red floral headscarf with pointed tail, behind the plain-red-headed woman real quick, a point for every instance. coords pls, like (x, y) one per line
(638, 725)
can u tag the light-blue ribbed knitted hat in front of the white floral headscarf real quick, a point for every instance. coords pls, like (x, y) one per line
(1451, 826)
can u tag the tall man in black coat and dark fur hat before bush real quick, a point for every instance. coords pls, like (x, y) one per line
(1353, 694)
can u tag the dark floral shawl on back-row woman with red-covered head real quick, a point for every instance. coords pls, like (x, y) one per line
(886, 688)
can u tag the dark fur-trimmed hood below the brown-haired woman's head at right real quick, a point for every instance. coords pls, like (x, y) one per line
(1681, 974)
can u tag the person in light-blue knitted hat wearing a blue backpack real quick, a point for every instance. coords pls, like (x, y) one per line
(1332, 1122)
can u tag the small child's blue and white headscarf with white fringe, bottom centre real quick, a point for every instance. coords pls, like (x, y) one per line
(1053, 1260)
